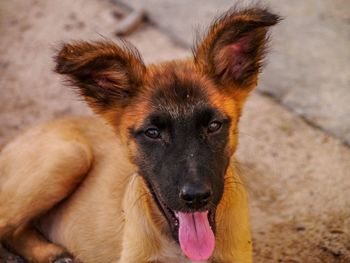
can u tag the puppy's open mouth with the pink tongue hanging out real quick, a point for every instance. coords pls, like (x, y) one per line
(193, 230)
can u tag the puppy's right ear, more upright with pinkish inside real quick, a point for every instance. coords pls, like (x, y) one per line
(232, 51)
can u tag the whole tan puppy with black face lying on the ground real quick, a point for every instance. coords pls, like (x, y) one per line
(152, 177)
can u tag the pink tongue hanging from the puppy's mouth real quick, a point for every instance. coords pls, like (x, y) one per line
(196, 237)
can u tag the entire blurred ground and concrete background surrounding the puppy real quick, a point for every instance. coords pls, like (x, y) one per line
(295, 131)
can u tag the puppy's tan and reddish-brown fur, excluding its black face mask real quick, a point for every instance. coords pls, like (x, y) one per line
(74, 181)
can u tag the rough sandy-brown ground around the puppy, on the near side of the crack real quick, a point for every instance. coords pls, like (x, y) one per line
(297, 175)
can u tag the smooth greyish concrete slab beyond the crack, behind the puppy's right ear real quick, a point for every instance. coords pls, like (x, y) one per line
(310, 52)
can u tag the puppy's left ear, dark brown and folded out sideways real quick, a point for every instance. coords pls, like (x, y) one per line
(106, 74)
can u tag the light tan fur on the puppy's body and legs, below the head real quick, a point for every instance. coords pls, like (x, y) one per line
(112, 202)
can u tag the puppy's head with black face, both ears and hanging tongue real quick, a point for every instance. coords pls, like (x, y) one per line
(178, 119)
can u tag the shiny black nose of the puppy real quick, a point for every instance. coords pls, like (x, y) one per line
(195, 196)
